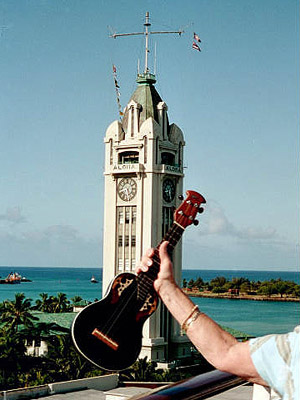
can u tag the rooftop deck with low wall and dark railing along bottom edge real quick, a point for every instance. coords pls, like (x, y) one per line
(214, 385)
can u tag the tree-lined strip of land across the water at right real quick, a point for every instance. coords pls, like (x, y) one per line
(243, 289)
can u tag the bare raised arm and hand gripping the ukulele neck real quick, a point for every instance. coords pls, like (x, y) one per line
(220, 348)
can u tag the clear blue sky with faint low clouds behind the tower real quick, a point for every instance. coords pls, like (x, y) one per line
(236, 102)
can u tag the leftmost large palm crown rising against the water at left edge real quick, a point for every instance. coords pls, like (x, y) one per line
(17, 312)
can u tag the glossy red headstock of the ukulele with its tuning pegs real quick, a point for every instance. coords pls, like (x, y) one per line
(188, 209)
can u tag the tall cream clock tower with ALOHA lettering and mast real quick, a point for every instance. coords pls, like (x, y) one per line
(143, 178)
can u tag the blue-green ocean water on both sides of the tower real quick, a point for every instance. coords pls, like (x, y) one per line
(253, 317)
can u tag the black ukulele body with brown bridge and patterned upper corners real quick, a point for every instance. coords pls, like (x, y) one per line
(109, 332)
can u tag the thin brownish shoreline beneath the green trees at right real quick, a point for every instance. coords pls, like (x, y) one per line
(229, 296)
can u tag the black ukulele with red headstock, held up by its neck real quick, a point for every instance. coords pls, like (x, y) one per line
(108, 332)
